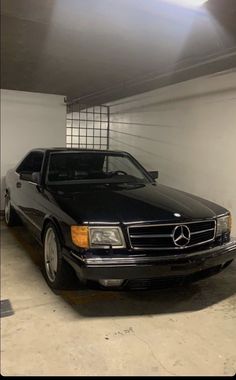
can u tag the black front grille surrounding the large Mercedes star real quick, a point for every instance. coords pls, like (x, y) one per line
(161, 236)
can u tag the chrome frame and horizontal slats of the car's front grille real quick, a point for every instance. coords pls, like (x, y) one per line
(171, 235)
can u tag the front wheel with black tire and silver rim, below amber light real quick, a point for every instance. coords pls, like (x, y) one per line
(57, 272)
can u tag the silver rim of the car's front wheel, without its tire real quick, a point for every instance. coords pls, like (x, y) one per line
(50, 254)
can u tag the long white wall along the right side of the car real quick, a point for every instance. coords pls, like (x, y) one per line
(186, 131)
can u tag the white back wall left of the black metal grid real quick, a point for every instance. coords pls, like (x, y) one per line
(29, 120)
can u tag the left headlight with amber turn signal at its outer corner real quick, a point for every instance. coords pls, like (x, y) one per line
(97, 237)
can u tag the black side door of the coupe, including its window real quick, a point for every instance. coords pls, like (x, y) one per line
(28, 194)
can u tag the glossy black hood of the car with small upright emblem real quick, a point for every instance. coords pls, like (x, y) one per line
(112, 204)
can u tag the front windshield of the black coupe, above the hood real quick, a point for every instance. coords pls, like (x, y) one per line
(94, 167)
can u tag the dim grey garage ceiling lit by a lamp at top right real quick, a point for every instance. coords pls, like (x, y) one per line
(103, 50)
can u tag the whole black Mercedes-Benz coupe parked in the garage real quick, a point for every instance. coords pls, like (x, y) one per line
(101, 215)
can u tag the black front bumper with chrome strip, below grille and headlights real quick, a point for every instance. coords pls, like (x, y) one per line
(146, 267)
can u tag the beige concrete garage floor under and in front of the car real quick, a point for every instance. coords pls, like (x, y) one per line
(176, 331)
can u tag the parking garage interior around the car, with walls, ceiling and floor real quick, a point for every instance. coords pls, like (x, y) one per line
(155, 78)
